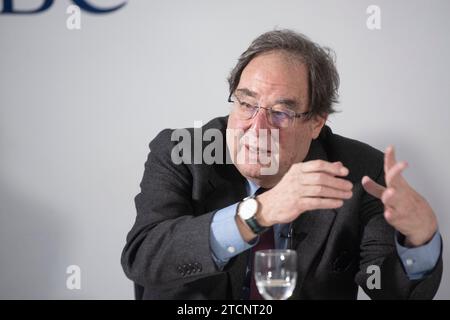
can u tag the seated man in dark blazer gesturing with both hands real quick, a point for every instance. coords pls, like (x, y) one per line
(342, 205)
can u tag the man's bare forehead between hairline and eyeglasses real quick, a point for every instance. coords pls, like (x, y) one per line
(275, 75)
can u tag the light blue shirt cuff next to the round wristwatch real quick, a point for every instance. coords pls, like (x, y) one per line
(225, 239)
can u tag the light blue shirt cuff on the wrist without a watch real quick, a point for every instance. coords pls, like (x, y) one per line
(419, 261)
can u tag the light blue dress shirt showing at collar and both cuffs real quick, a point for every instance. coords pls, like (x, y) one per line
(227, 242)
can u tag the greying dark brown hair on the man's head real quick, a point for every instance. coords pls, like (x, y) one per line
(323, 78)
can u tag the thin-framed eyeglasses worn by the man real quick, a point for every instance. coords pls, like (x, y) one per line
(279, 115)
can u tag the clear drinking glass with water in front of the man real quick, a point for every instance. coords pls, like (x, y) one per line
(275, 273)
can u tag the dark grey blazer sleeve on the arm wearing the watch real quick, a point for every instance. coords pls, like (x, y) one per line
(167, 244)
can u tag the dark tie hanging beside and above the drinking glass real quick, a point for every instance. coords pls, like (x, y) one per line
(266, 241)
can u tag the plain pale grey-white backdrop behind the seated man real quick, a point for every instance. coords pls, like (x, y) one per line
(79, 107)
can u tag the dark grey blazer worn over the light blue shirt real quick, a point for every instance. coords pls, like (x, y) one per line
(167, 253)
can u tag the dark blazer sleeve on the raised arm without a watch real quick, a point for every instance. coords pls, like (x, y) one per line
(378, 248)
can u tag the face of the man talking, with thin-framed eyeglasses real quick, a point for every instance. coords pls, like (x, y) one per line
(267, 79)
